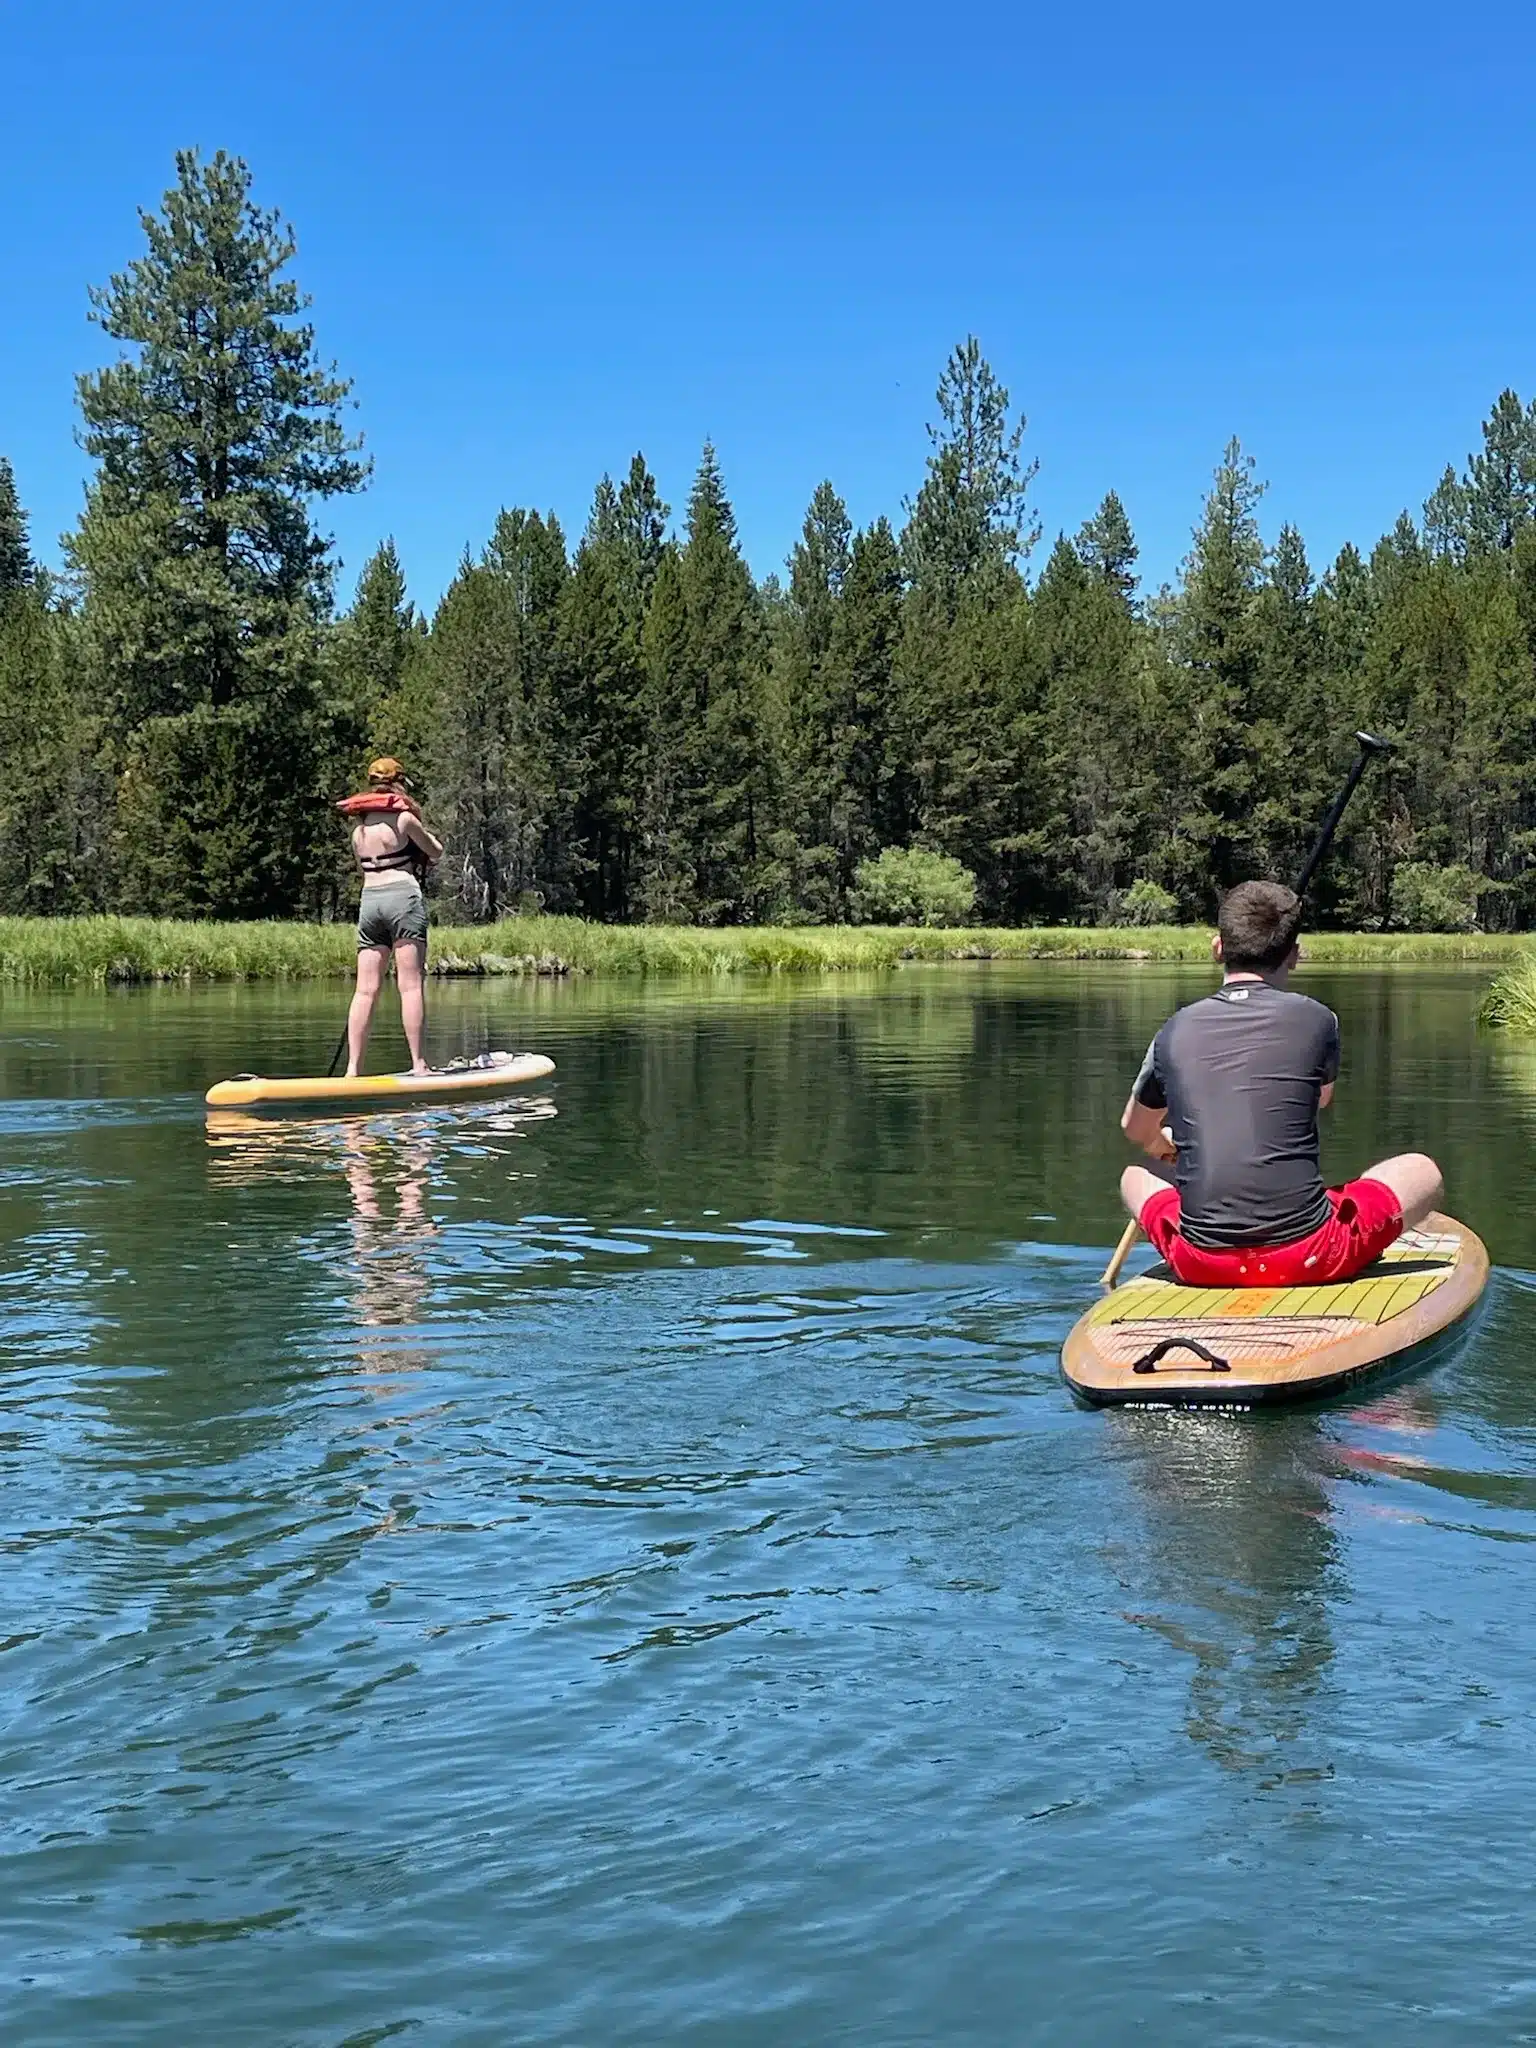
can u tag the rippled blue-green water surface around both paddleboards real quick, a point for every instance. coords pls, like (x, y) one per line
(620, 1566)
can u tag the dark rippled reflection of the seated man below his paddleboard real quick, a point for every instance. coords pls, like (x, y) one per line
(1240, 1555)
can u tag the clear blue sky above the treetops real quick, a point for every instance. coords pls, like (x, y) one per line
(540, 239)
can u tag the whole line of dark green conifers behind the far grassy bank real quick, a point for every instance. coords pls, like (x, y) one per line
(636, 728)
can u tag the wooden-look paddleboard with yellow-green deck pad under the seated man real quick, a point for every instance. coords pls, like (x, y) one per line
(1156, 1342)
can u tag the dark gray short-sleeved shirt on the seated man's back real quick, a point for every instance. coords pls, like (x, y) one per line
(1240, 1076)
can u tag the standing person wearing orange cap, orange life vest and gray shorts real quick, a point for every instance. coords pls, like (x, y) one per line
(394, 849)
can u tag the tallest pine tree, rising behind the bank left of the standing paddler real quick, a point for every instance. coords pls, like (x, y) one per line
(204, 579)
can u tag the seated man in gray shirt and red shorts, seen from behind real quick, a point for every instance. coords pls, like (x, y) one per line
(1240, 1078)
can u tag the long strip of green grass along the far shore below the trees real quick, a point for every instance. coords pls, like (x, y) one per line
(97, 951)
